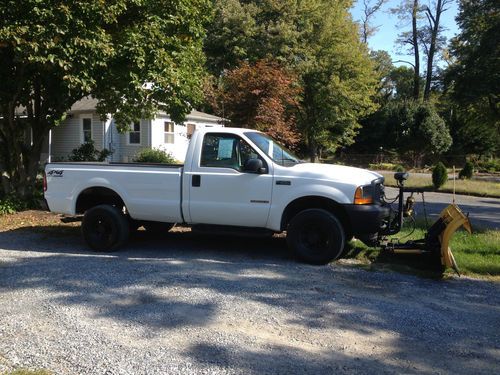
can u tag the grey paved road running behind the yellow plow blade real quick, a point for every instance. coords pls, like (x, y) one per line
(483, 212)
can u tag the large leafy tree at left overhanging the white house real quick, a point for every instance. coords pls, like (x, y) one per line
(134, 56)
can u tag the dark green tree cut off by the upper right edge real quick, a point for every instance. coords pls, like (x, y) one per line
(472, 81)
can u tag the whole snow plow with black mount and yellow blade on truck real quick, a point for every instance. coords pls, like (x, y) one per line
(435, 245)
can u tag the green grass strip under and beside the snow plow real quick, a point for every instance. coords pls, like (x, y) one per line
(476, 255)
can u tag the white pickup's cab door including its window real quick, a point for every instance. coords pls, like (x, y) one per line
(221, 192)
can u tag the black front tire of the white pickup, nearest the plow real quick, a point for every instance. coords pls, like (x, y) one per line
(316, 236)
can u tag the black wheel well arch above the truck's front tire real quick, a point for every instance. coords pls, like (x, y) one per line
(323, 203)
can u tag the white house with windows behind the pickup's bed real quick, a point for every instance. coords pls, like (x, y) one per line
(83, 124)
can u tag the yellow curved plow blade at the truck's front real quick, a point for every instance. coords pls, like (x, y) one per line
(452, 218)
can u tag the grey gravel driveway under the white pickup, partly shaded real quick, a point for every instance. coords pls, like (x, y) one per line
(186, 304)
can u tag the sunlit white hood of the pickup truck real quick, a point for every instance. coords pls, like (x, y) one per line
(339, 173)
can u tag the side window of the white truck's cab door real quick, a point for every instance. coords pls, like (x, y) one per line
(225, 151)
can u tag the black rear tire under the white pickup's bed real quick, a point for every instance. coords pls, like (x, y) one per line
(105, 228)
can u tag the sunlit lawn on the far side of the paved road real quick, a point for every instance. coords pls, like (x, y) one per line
(468, 187)
